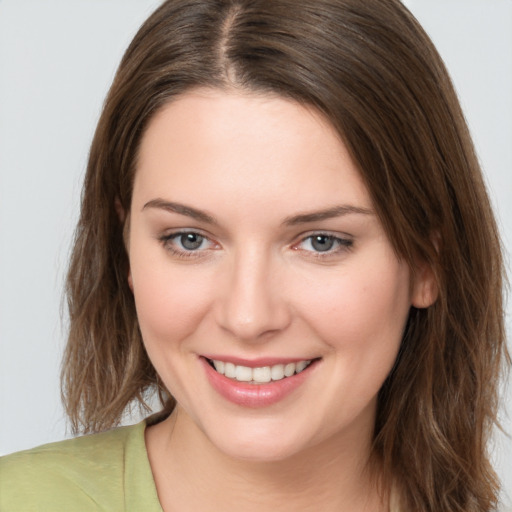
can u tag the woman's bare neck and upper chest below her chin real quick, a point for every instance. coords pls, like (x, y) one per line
(192, 474)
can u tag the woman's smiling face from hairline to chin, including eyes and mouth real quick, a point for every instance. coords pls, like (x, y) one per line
(254, 247)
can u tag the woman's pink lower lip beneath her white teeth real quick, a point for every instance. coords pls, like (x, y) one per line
(255, 395)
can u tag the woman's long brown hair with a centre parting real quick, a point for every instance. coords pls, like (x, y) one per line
(373, 72)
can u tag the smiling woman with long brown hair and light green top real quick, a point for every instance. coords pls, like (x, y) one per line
(285, 232)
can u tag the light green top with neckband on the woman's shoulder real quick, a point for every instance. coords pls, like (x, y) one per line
(101, 472)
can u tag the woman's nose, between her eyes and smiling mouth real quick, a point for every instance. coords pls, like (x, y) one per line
(252, 304)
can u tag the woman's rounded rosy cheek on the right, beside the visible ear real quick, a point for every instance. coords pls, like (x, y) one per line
(361, 308)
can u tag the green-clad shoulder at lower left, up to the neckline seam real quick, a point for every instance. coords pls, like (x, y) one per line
(86, 473)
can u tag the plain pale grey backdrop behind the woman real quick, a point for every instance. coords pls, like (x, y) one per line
(57, 59)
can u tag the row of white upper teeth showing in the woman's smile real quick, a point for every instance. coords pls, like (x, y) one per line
(260, 375)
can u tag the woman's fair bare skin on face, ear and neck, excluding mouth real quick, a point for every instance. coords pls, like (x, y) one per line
(257, 287)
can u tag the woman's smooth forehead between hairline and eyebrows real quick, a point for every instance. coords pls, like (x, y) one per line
(248, 146)
